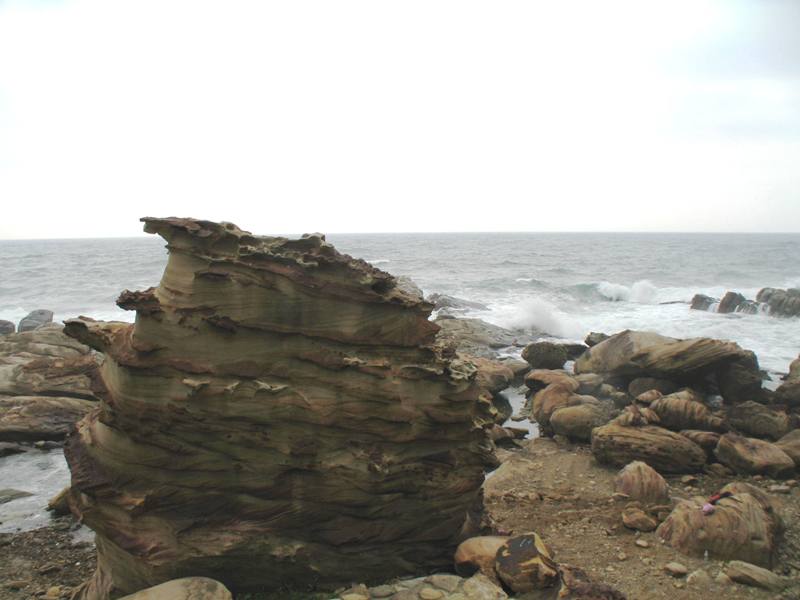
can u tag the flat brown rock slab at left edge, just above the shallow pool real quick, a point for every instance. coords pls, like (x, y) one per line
(34, 418)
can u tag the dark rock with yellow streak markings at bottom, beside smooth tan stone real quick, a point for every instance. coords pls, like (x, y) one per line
(524, 564)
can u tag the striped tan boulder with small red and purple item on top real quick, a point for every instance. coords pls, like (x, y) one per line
(744, 526)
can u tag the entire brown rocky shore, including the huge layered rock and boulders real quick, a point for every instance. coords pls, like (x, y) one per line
(661, 464)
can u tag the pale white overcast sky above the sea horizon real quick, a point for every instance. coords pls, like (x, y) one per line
(343, 116)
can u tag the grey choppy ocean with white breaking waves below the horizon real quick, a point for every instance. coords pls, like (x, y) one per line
(564, 284)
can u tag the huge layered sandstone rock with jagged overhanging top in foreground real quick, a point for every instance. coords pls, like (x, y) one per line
(279, 413)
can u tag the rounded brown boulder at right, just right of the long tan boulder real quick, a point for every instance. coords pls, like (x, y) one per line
(752, 456)
